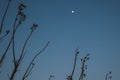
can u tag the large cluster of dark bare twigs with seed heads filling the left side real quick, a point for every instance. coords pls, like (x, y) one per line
(19, 19)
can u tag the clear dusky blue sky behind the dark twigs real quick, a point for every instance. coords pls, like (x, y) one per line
(93, 28)
